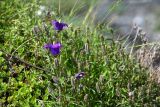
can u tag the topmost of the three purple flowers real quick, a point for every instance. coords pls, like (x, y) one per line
(59, 26)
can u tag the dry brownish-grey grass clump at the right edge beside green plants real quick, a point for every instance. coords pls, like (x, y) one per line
(148, 55)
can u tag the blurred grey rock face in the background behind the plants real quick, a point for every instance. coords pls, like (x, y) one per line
(144, 13)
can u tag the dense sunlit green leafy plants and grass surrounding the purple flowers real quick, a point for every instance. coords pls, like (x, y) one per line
(30, 76)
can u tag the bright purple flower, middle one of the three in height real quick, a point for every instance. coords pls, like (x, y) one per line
(53, 48)
